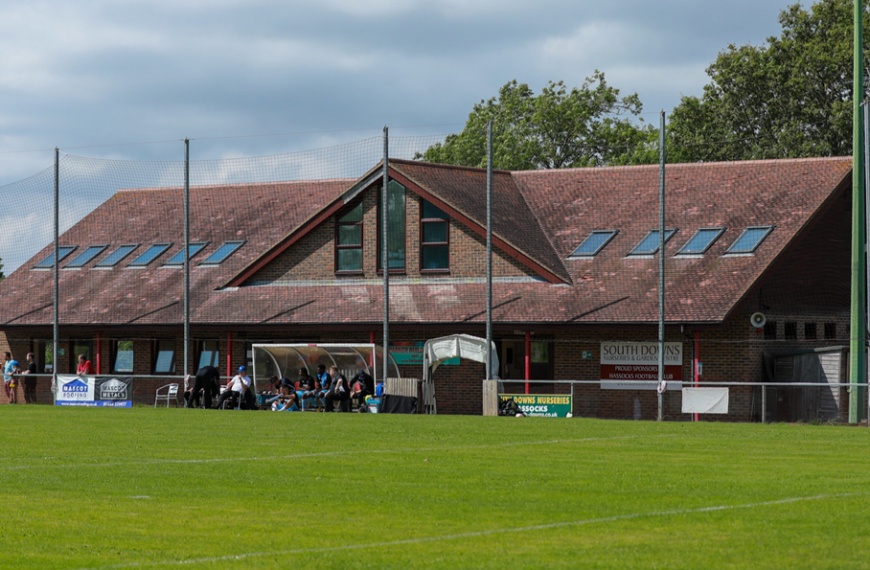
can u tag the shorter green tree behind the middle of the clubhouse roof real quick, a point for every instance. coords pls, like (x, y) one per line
(560, 128)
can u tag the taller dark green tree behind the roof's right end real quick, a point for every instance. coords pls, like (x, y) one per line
(791, 97)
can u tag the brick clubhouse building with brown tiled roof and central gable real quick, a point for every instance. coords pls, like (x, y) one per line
(757, 263)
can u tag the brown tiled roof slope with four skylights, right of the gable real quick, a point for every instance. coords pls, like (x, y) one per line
(736, 195)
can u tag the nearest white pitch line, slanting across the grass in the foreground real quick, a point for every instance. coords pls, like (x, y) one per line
(474, 534)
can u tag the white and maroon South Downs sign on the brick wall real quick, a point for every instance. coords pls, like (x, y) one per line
(634, 365)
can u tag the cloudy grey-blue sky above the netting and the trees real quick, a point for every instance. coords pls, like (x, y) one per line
(111, 77)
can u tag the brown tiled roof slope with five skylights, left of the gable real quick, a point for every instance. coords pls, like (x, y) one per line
(260, 214)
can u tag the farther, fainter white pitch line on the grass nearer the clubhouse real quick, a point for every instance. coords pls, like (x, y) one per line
(22, 467)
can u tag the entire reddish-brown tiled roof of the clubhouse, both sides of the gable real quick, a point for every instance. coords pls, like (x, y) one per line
(540, 215)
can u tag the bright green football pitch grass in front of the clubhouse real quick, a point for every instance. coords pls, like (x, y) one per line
(170, 488)
